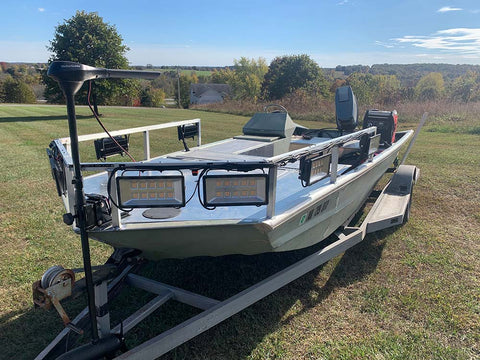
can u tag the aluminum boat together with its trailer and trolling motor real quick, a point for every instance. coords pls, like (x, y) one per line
(276, 187)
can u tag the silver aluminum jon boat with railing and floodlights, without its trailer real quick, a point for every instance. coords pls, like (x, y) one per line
(276, 187)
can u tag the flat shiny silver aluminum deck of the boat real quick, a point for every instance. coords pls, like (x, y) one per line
(289, 192)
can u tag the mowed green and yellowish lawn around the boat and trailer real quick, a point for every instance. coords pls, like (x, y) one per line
(408, 293)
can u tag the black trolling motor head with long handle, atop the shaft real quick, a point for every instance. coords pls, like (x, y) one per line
(71, 75)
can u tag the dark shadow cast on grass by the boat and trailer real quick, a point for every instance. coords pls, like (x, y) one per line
(25, 334)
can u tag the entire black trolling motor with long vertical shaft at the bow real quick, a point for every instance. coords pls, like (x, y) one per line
(70, 77)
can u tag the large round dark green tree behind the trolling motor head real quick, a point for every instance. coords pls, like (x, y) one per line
(87, 39)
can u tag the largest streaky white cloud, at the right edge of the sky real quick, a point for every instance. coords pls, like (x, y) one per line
(459, 40)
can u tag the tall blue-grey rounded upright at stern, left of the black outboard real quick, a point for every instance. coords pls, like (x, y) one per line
(346, 109)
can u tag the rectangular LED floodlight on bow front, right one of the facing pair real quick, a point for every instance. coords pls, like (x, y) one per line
(235, 190)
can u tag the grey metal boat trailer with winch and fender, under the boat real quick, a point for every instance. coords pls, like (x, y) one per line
(391, 208)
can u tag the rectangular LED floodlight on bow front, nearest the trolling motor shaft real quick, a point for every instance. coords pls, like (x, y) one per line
(151, 191)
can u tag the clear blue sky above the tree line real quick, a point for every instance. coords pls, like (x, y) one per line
(332, 32)
